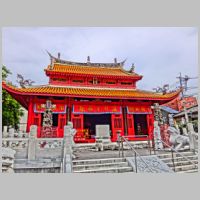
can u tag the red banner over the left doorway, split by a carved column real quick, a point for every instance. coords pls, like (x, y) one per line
(56, 108)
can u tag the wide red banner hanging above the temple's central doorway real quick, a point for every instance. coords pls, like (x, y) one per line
(96, 109)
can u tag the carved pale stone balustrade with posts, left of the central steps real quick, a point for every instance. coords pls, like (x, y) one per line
(32, 149)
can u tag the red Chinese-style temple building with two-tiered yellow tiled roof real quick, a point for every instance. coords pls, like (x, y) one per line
(90, 94)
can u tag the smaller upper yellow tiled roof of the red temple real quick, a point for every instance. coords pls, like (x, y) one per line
(75, 69)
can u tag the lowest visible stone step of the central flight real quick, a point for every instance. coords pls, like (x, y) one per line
(107, 170)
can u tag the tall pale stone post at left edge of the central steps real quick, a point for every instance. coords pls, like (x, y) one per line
(67, 151)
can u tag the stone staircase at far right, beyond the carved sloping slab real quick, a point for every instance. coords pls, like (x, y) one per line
(181, 164)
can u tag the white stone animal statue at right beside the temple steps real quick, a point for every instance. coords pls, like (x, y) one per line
(178, 141)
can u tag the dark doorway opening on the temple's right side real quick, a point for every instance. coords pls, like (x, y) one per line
(140, 124)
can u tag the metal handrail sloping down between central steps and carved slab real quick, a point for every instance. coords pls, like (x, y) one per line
(136, 154)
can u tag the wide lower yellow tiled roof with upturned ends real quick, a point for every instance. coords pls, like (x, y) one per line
(88, 92)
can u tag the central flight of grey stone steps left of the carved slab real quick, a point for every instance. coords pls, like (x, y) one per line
(106, 165)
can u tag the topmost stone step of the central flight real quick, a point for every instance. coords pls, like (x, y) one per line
(98, 161)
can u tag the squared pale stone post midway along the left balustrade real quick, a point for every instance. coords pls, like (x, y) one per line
(32, 143)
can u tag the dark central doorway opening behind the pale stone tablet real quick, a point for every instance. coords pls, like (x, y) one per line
(91, 120)
